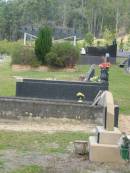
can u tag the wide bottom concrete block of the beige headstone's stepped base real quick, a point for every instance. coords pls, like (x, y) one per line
(103, 152)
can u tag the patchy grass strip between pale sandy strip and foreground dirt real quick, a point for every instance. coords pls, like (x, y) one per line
(39, 142)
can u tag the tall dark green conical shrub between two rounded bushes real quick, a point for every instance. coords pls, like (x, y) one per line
(43, 44)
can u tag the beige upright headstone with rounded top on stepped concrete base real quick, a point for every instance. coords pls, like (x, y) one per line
(103, 147)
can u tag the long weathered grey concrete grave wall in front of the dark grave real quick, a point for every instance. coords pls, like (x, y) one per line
(17, 107)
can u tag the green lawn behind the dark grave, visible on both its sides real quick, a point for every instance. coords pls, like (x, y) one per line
(119, 83)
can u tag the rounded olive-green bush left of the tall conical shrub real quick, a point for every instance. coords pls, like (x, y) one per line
(25, 56)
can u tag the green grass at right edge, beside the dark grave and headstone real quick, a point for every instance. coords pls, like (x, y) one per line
(120, 87)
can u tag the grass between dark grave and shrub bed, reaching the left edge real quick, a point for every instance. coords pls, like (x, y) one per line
(8, 81)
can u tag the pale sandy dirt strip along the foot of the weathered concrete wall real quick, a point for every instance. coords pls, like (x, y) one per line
(46, 125)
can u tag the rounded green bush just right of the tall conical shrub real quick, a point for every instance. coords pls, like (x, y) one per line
(62, 55)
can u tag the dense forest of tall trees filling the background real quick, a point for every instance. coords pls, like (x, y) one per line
(84, 15)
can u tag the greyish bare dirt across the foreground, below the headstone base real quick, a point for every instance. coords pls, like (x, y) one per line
(60, 163)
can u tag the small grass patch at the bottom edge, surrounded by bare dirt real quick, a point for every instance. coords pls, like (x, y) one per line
(29, 169)
